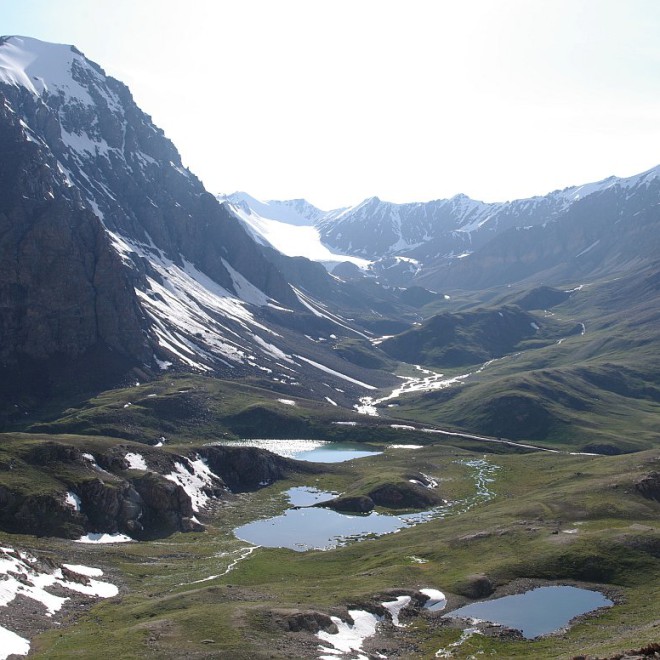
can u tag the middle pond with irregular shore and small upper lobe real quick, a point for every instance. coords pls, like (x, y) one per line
(304, 529)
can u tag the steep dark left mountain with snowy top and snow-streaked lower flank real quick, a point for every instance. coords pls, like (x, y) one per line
(108, 245)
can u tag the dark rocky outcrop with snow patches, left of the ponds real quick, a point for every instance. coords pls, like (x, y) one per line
(52, 488)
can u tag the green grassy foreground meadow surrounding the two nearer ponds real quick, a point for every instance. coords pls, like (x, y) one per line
(560, 518)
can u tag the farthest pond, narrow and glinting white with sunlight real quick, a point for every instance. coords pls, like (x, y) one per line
(317, 451)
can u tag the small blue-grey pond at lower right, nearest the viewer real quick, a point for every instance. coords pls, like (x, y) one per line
(536, 612)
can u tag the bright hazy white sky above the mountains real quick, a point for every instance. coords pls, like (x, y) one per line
(409, 100)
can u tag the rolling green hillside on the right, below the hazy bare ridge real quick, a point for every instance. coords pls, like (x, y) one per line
(597, 389)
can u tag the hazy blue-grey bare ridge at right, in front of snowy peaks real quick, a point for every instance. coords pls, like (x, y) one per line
(611, 231)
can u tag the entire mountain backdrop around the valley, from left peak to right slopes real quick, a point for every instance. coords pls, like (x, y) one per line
(116, 266)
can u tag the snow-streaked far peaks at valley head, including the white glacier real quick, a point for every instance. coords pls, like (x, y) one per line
(394, 235)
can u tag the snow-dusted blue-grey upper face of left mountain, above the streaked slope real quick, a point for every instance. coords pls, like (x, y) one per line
(123, 166)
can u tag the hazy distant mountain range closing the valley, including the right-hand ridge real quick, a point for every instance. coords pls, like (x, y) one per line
(447, 243)
